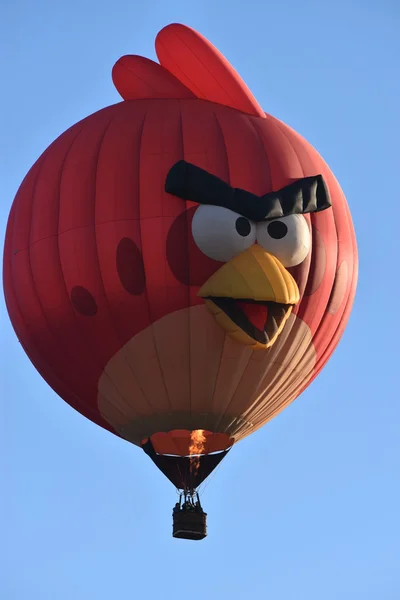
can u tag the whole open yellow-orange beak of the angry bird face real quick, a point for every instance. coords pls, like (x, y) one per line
(251, 297)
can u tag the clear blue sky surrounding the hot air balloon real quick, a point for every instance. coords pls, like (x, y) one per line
(308, 507)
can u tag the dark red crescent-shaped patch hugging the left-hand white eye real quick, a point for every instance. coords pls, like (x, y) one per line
(186, 261)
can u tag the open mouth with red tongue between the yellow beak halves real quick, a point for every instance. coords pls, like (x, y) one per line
(262, 321)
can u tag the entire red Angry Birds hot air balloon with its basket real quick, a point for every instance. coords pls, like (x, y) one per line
(181, 265)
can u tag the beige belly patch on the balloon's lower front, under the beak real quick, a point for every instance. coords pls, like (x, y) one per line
(183, 372)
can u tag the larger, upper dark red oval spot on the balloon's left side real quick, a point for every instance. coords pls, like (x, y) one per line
(130, 267)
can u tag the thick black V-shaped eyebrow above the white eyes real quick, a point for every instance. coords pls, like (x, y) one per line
(306, 195)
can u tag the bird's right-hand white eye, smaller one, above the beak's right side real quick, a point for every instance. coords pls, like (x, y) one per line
(288, 239)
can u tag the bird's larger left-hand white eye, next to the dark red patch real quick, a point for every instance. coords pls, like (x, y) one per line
(221, 233)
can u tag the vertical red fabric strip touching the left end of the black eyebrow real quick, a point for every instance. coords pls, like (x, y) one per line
(161, 146)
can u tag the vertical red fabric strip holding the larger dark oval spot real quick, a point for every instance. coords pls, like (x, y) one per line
(117, 215)
